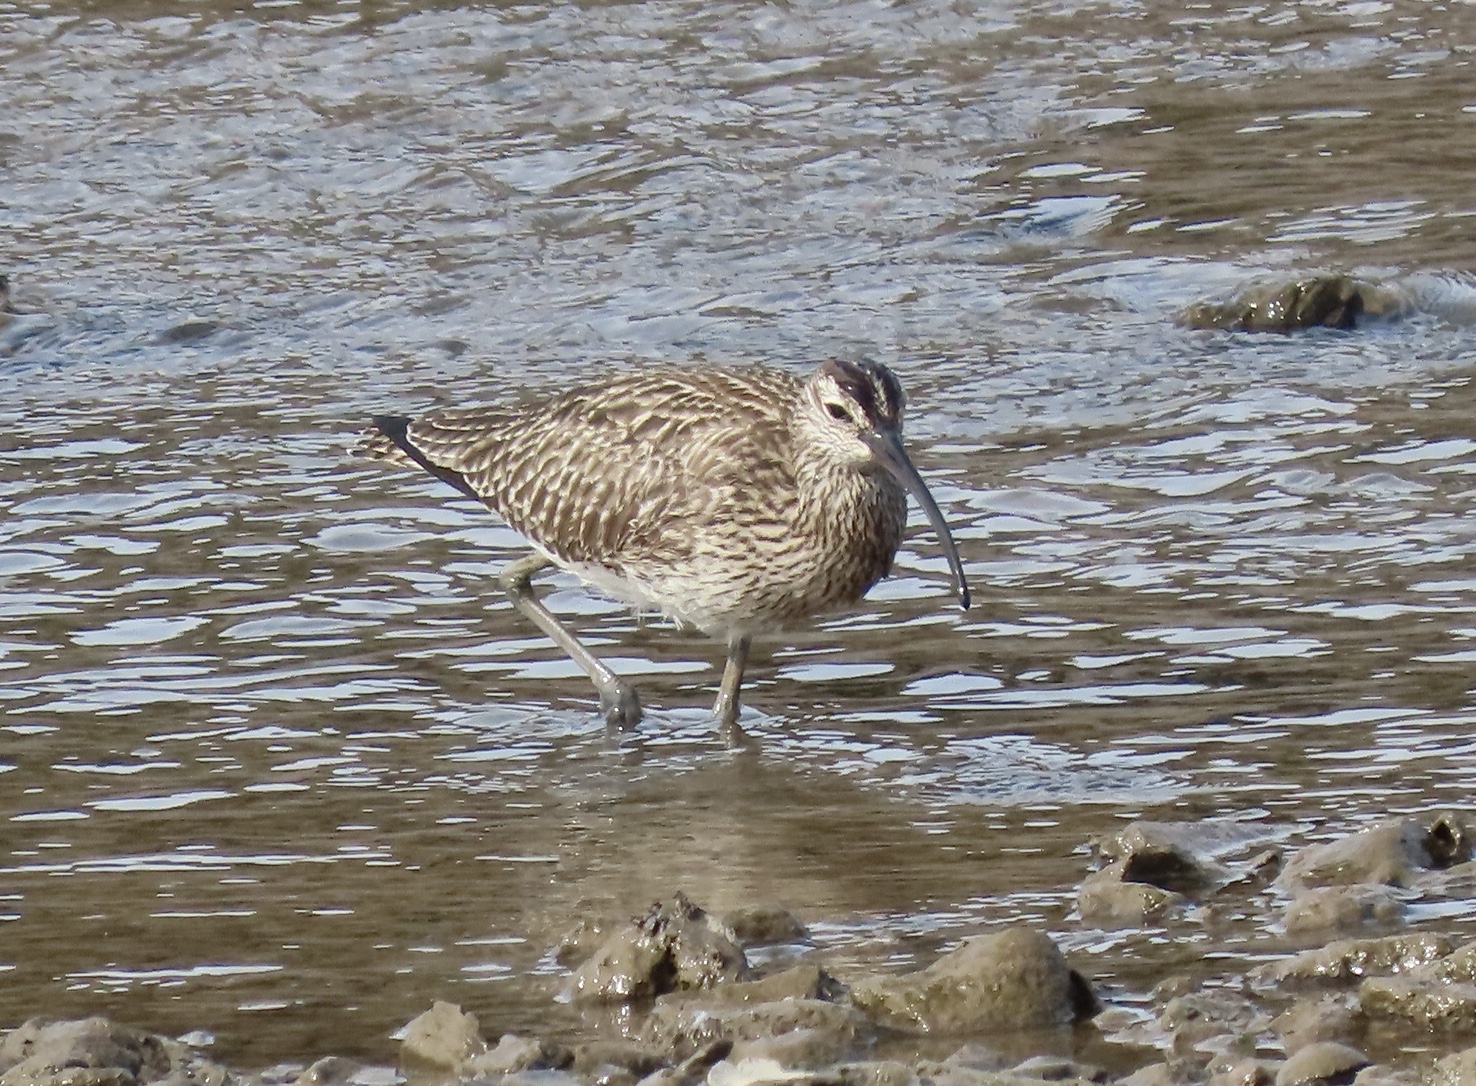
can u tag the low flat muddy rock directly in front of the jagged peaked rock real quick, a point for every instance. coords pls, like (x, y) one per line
(686, 1026)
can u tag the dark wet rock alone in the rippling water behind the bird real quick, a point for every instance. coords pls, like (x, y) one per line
(1319, 302)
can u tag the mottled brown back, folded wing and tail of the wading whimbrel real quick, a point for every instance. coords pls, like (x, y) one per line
(627, 470)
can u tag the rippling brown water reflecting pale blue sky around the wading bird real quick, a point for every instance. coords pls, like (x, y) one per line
(278, 761)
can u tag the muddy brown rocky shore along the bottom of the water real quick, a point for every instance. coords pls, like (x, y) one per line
(678, 997)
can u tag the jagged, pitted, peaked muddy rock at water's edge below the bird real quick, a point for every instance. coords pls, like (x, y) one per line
(674, 947)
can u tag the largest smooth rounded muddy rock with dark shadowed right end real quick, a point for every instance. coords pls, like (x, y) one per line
(1015, 979)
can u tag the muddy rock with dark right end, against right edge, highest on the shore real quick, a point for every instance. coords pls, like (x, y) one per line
(1391, 854)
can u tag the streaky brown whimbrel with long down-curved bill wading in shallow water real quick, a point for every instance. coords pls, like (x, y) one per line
(734, 501)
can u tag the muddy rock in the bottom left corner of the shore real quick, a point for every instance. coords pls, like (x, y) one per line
(94, 1053)
